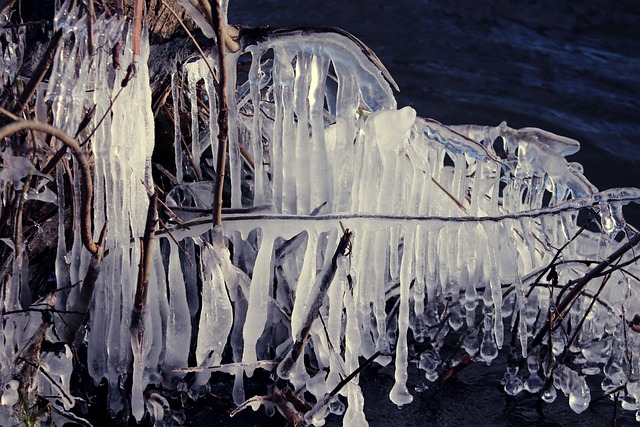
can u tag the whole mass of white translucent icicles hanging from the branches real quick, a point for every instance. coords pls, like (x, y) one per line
(452, 225)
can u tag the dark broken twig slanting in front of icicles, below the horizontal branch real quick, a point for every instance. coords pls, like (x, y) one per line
(323, 280)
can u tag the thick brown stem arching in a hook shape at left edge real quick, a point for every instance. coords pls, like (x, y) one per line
(86, 183)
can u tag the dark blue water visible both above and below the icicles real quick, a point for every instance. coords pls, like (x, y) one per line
(569, 67)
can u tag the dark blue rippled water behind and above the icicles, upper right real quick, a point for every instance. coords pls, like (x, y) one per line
(572, 68)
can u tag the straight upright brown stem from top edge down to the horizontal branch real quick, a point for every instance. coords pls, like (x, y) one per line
(223, 114)
